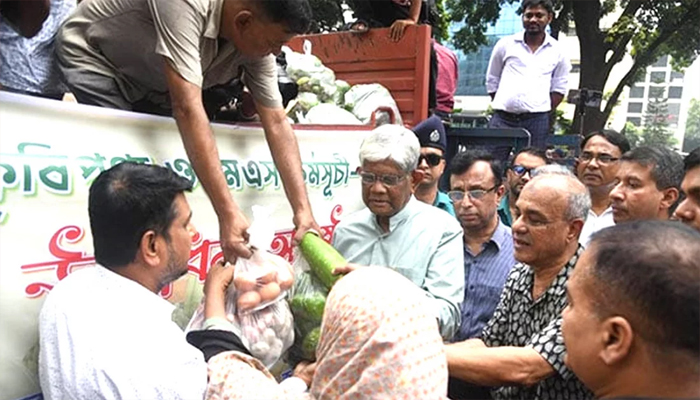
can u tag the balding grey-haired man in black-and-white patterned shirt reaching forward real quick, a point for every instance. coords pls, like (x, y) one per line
(520, 351)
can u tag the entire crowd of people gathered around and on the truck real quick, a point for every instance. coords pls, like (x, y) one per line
(525, 280)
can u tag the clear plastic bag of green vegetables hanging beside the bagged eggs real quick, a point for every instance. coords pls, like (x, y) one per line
(307, 300)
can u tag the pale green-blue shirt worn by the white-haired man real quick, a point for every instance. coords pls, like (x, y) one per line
(424, 244)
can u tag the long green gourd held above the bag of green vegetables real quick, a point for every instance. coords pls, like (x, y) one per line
(322, 258)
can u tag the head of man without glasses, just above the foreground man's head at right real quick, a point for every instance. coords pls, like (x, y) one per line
(648, 184)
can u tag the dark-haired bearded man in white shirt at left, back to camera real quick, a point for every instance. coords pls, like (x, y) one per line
(104, 331)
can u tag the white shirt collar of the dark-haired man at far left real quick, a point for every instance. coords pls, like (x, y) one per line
(135, 293)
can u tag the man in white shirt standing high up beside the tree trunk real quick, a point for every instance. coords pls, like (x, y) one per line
(528, 75)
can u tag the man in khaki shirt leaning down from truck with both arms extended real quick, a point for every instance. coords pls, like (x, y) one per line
(158, 55)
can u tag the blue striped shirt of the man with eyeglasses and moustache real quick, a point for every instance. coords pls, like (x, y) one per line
(485, 276)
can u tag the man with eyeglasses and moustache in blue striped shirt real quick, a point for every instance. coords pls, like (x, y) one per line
(476, 185)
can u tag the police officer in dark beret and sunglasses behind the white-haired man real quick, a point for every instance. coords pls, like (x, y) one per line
(433, 141)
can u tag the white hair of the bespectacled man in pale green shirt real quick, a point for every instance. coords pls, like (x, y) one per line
(391, 142)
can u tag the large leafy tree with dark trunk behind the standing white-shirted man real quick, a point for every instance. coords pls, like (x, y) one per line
(647, 30)
